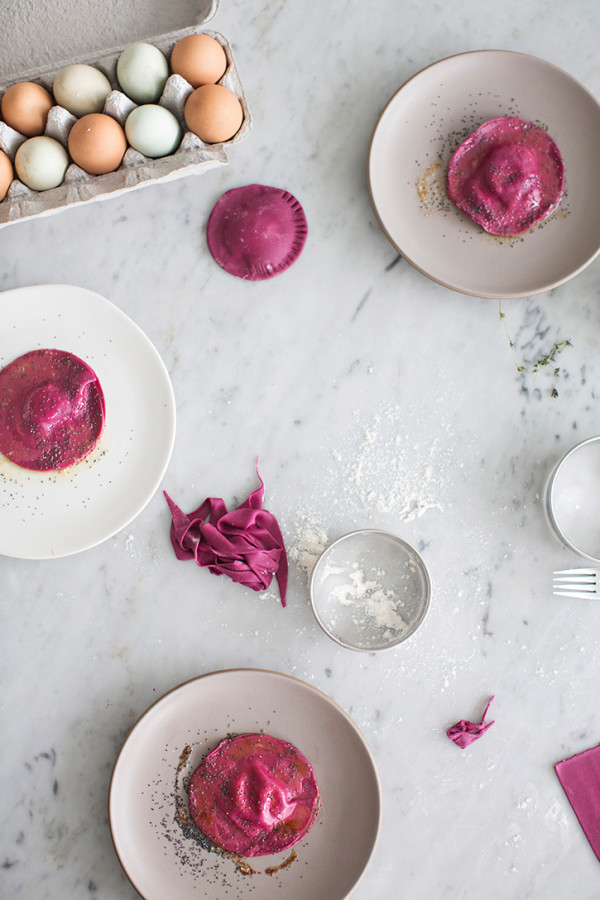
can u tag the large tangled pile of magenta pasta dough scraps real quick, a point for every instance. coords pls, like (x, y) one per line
(246, 543)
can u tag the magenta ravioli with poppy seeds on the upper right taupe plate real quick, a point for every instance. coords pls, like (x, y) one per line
(506, 176)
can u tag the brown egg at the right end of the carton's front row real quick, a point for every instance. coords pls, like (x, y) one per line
(214, 113)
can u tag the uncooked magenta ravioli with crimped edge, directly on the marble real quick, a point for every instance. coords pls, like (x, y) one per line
(256, 232)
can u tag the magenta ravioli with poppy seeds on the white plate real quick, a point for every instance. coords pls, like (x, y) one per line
(51, 410)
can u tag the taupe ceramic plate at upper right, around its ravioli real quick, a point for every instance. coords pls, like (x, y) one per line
(411, 146)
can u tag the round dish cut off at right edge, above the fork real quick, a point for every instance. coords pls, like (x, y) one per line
(573, 499)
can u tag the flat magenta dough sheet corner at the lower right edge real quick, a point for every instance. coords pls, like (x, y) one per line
(580, 778)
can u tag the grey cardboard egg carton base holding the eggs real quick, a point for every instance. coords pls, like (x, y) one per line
(192, 157)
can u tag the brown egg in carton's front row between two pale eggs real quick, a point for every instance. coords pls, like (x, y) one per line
(97, 143)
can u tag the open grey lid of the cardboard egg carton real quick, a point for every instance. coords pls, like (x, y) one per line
(37, 34)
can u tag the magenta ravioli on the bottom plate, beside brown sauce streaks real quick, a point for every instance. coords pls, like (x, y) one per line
(254, 795)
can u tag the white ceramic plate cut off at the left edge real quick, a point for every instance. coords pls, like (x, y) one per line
(51, 514)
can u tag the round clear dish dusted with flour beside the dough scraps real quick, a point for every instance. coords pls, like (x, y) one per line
(369, 590)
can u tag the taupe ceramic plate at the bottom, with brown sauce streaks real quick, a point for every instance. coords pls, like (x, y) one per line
(161, 862)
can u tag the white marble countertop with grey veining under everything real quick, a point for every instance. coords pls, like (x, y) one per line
(362, 387)
